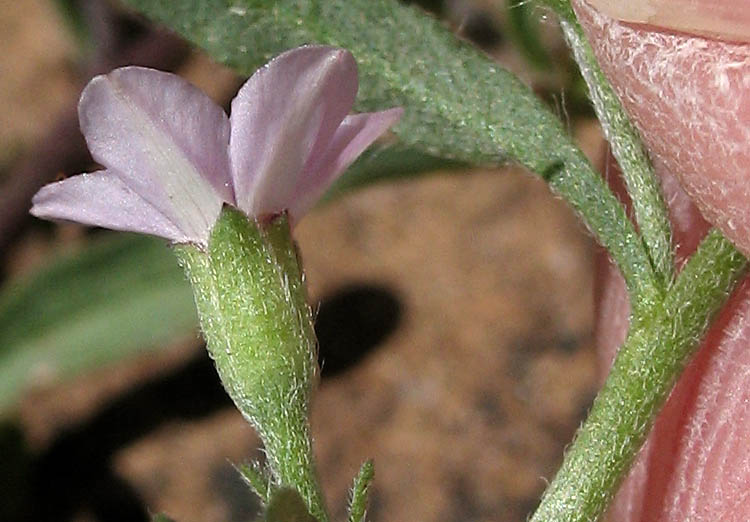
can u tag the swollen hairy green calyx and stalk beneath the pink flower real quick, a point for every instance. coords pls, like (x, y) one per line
(252, 304)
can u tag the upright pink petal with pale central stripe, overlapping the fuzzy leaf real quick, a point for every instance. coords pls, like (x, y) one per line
(286, 111)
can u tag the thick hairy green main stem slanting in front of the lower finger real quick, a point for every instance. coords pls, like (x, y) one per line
(644, 372)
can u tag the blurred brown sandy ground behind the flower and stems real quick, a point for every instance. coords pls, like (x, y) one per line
(466, 407)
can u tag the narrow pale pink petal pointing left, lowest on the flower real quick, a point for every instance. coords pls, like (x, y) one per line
(102, 199)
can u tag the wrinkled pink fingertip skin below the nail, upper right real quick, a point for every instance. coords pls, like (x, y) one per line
(690, 98)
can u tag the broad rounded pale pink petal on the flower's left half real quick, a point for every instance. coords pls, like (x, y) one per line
(165, 139)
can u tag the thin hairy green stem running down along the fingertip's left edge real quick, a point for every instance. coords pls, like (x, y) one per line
(640, 179)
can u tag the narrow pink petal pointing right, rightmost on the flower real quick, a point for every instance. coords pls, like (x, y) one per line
(356, 133)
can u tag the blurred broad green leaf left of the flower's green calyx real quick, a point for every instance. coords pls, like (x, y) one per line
(124, 295)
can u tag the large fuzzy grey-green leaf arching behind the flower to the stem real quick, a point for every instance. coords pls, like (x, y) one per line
(458, 103)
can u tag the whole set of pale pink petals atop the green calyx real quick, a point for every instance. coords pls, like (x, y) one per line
(173, 158)
